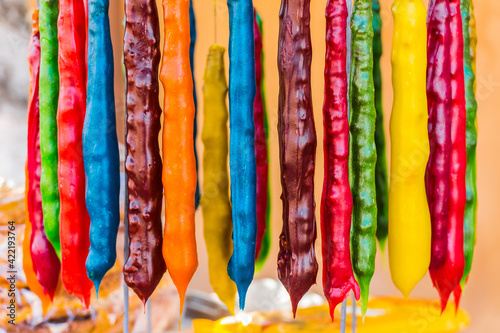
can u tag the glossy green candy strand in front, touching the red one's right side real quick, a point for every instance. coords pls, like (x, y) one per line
(363, 154)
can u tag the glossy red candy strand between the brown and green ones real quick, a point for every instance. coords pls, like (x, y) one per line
(336, 201)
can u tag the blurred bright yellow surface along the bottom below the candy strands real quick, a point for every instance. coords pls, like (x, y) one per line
(385, 315)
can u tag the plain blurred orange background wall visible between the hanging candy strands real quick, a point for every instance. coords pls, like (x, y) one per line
(481, 297)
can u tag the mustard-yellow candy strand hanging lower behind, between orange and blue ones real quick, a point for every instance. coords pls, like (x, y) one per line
(216, 207)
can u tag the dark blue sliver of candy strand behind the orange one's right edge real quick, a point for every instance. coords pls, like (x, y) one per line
(192, 43)
